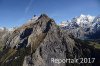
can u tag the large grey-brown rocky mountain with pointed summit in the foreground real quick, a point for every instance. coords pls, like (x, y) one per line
(36, 43)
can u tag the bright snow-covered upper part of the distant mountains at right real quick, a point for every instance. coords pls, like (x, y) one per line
(82, 21)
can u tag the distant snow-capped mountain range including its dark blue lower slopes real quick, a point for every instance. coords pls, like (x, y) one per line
(83, 26)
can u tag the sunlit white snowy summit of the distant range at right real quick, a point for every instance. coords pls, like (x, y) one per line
(80, 20)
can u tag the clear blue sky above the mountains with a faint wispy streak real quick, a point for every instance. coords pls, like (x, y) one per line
(17, 12)
